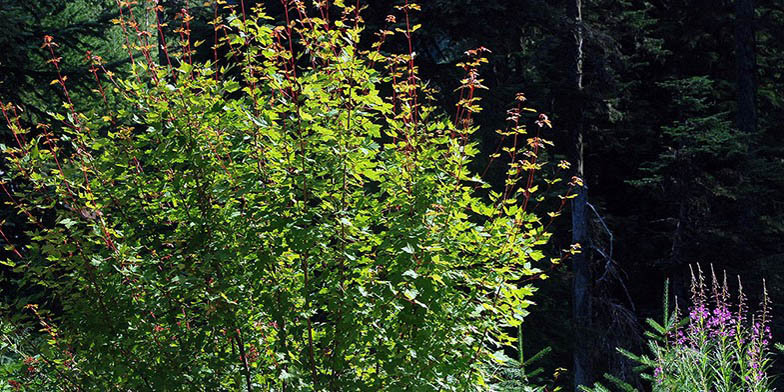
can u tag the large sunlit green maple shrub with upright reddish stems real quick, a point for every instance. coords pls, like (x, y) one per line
(276, 225)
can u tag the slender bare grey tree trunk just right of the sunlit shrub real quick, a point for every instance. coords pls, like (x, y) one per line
(581, 287)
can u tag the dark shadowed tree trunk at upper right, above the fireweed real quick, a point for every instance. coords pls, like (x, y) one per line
(746, 65)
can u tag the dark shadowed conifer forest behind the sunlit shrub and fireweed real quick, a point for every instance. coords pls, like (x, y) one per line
(678, 112)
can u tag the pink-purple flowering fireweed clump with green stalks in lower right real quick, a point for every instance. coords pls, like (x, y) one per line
(719, 346)
